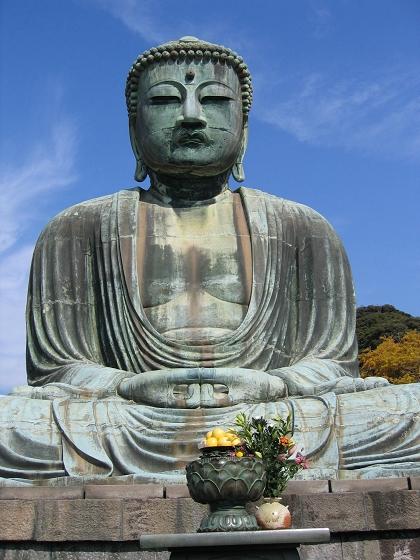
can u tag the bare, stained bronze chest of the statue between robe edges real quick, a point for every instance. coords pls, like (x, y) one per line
(194, 251)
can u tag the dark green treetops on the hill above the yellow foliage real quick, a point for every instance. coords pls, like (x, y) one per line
(377, 321)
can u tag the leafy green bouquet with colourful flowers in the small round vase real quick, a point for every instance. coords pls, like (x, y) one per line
(273, 443)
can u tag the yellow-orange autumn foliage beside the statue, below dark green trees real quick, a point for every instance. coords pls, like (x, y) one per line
(399, 362)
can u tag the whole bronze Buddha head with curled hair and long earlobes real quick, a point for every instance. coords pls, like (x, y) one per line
(188, 104)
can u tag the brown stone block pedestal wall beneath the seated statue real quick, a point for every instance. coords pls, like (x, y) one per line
(368, 519)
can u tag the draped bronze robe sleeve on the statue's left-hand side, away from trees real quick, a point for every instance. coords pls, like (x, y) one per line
(62, 310)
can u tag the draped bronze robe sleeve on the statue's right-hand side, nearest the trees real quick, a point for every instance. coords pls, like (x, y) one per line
(324, 349)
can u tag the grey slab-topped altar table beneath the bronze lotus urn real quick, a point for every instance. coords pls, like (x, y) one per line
(243, 545)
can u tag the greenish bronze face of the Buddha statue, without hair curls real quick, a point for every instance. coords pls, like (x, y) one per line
(189, 118)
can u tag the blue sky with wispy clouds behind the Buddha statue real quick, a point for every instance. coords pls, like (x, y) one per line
(335, 123)
